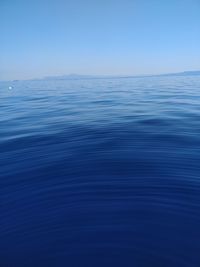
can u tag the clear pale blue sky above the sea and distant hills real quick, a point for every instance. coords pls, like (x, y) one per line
(56, 37)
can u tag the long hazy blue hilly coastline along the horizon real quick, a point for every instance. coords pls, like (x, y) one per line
(77, 76)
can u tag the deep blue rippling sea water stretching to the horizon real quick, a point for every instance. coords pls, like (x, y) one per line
(102, 172)
